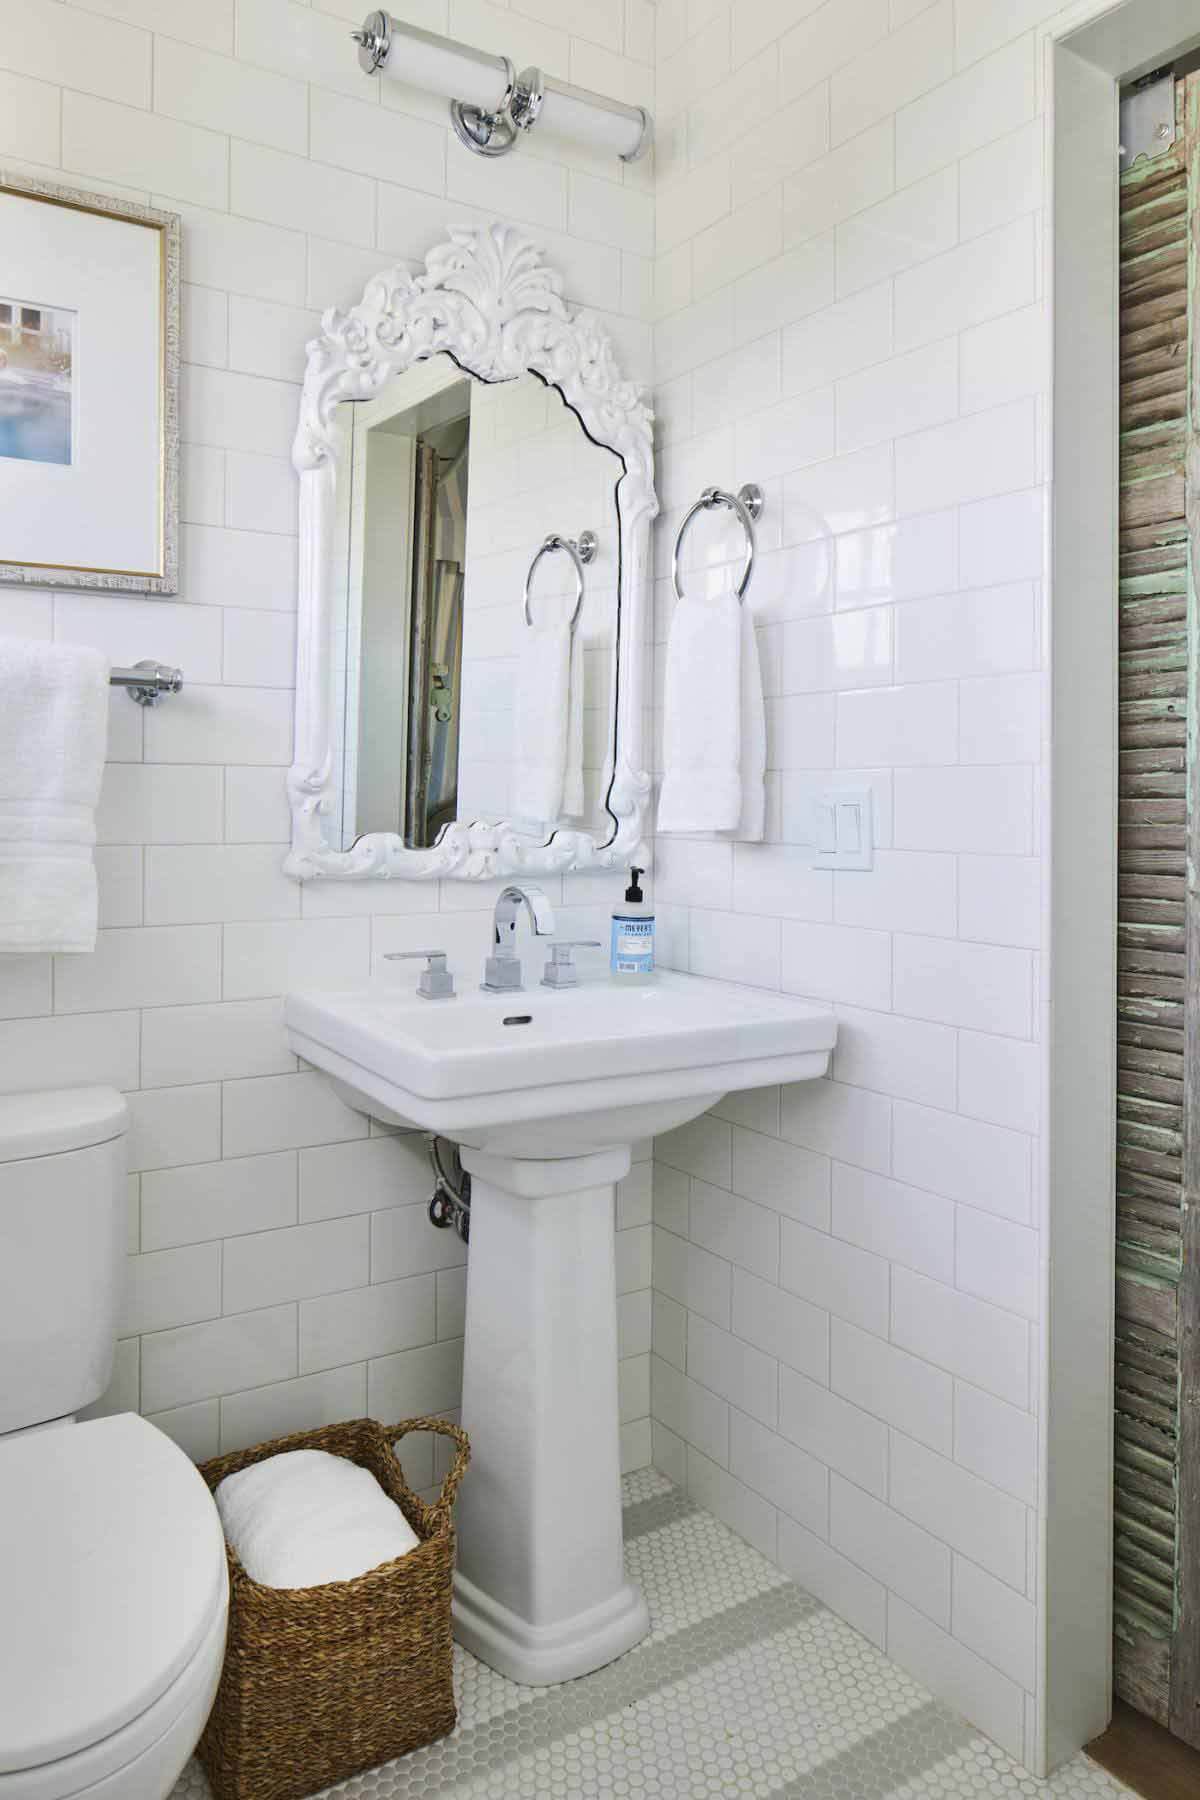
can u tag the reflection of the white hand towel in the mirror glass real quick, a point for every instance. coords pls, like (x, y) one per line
(548, 730)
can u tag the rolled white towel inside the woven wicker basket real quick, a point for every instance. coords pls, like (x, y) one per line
(307, 1518)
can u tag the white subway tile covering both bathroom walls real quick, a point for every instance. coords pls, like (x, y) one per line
(841, 1351)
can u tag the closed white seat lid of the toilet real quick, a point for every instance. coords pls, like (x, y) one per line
(112, 1567)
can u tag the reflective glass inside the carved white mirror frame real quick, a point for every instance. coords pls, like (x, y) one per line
(478, 609)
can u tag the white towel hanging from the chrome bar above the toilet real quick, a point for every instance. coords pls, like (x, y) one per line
(53, 735)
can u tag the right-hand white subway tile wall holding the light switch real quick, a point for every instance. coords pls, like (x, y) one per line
(850, 309)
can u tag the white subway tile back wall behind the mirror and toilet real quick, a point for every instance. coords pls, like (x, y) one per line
(283, 1268)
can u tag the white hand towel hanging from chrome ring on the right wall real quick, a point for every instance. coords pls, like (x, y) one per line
(715, 721)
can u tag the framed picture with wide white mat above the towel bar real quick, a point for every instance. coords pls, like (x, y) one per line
(89, 390)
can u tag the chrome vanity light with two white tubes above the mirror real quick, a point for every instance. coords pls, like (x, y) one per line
(490, 103)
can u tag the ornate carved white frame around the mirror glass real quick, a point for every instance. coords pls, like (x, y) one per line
(490, 303)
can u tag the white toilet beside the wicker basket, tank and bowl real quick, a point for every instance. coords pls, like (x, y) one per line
(112, 1563)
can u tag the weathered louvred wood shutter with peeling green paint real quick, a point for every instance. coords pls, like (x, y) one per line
(1158, 1534)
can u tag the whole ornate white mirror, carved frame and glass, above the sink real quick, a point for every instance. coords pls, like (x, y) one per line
(476, 505)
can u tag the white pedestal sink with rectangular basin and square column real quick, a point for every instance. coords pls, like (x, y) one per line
(544, 1092)
